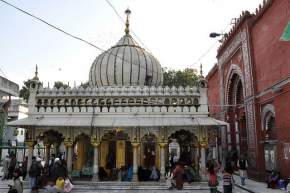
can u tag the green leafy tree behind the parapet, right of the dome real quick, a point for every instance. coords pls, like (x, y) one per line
(186, 77)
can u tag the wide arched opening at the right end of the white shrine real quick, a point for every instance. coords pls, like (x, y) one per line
(188, 144)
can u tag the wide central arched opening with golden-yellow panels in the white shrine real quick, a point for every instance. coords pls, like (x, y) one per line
(116, 152)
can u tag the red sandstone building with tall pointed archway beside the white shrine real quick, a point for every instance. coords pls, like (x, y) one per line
(250, 88)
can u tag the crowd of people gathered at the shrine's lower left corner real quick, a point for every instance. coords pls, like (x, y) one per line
(51, 177)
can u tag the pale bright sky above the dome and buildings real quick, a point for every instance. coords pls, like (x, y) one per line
(175, 31)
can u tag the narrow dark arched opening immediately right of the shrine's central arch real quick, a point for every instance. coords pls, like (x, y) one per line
(148, 144)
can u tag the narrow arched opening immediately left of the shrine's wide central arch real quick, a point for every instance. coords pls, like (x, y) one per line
(83, 155)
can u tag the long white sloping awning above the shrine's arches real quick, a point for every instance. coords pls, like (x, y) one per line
(117, 121)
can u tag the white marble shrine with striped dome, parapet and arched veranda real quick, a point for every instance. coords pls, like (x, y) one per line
(125, 117)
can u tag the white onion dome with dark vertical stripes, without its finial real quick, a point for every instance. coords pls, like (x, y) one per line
(126, 64)
